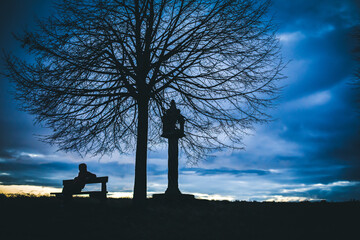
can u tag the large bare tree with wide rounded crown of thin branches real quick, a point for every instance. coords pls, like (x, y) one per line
(105, 70)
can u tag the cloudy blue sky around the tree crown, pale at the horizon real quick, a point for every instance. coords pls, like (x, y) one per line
(310, 151)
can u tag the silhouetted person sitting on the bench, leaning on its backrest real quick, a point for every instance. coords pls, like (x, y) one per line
(79, 182)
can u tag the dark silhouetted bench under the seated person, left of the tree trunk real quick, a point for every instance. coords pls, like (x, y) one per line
(92, 194)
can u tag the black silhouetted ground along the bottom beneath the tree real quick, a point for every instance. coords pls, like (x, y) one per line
(47, 218)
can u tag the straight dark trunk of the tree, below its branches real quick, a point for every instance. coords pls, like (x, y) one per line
(140, 186)
